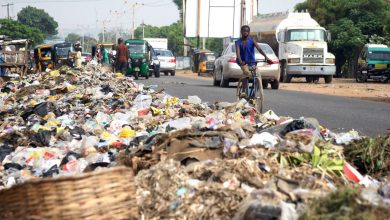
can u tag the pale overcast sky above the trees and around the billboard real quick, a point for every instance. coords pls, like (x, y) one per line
(88, 15)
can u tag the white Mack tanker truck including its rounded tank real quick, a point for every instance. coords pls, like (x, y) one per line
(301, 44)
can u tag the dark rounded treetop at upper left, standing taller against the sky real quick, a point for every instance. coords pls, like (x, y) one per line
(38, 18)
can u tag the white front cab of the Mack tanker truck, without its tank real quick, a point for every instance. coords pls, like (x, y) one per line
(303, 49)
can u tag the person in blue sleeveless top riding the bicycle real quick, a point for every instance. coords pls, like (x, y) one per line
(245, 51)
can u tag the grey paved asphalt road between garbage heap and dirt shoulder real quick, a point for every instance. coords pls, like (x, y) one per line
(336, 113)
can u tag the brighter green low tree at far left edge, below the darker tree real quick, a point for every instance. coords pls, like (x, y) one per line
(16, 30)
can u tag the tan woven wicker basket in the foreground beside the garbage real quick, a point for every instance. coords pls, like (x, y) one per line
(106, 194)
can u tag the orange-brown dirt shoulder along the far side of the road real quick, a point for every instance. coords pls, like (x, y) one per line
(373, 91)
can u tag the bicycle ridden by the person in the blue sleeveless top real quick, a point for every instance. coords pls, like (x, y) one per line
(254, 89)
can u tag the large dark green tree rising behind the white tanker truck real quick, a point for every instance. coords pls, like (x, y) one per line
(352, 24)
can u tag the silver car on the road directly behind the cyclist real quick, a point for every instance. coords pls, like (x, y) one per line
(226, 69)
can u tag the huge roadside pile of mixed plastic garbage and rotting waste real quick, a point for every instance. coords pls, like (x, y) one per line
(192, 159)
